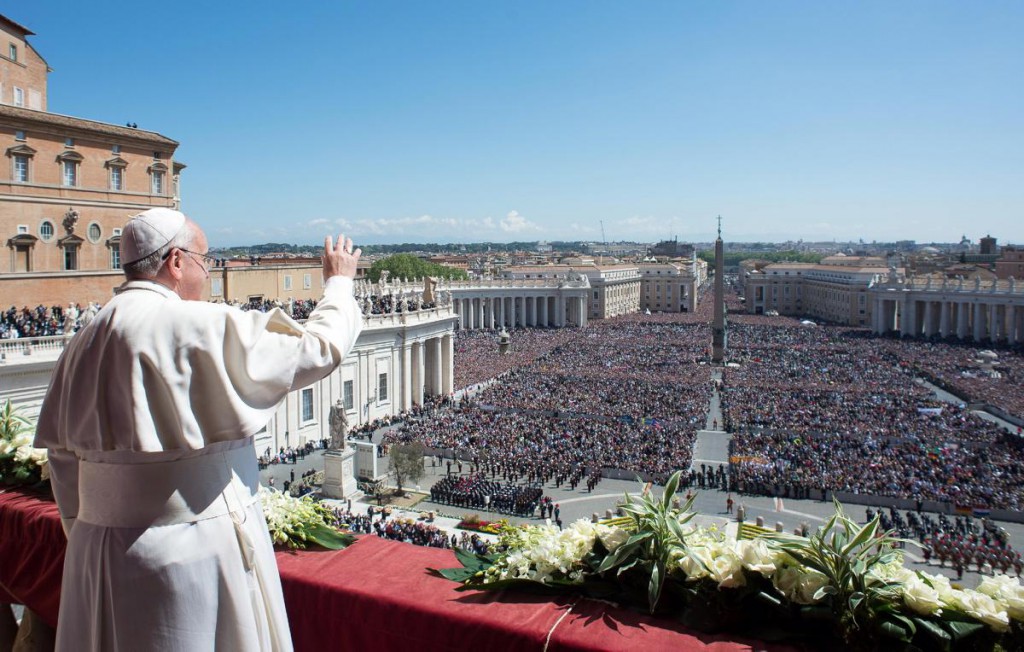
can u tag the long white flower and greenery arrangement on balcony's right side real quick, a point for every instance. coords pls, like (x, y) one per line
(843, 588)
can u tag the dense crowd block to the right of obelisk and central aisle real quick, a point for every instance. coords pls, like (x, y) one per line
(824, 409)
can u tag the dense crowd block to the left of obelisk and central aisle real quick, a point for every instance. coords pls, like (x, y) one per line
(626, 395)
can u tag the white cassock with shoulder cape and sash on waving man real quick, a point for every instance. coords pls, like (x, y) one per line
(149, 421)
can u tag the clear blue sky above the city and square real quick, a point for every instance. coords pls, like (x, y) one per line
(478, 121)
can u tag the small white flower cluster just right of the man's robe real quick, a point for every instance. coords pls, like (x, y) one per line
(298, 523)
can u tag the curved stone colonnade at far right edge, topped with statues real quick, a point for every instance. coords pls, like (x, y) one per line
(974, 316)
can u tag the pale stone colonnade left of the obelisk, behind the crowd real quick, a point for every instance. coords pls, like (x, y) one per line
(517, 312)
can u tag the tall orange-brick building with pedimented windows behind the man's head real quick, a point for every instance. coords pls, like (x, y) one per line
(68, 184)
